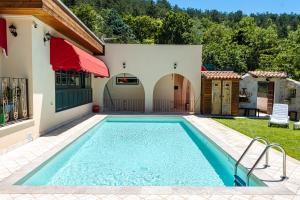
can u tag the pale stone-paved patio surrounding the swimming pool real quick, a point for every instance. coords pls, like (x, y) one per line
(25, 158)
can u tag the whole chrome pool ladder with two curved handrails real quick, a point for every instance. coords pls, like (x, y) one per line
(239, 181)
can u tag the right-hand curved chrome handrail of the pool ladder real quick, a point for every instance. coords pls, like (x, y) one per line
(263, 153)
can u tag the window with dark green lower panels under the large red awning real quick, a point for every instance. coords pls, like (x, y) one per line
(72, 89)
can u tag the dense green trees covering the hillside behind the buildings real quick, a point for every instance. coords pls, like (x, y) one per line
(231, 41)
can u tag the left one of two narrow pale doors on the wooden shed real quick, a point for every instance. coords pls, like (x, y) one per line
(216, 97)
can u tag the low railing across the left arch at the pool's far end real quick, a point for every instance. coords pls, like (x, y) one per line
(124, 105)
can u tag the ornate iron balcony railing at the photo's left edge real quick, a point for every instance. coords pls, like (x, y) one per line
(13, 100)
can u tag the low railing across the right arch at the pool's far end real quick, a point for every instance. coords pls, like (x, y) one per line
(171, 106)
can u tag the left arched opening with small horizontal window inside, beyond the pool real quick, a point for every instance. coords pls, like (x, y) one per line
(124, 93)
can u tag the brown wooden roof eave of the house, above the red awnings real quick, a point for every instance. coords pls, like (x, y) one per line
(58, 16)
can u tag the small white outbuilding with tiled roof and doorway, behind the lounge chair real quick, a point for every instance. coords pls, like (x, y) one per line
(261, 89)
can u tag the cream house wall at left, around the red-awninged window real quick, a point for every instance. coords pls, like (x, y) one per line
(29, 57)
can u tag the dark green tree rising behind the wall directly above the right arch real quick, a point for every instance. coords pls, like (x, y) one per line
(176, 29)
